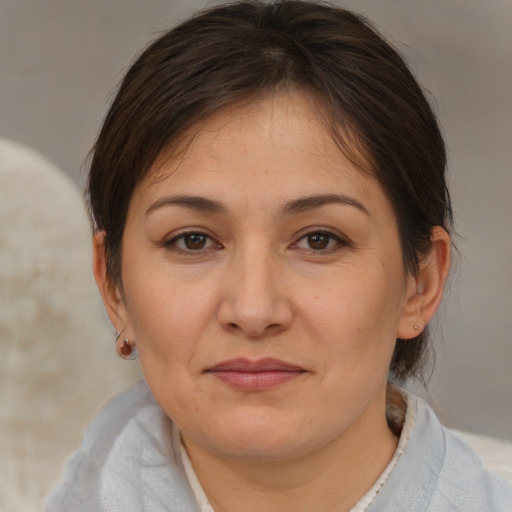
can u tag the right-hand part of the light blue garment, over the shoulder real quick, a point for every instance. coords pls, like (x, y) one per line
(439, 472)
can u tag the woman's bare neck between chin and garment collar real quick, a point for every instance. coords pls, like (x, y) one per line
(333, 477)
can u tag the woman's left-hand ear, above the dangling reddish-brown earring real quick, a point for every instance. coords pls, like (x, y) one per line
(111, 293)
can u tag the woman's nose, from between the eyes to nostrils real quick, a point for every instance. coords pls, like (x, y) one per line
(254, 299)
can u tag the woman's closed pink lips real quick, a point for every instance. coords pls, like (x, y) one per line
(258, 375)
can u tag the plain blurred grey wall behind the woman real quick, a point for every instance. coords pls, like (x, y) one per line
(60, 61)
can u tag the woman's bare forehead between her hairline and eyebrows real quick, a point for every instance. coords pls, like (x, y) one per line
(280, 139)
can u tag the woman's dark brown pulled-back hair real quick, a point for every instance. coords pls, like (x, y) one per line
(371, 101)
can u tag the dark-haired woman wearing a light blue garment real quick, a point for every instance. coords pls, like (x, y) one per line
(271, 235)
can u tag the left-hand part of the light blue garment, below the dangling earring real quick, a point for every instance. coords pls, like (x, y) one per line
(128, 461)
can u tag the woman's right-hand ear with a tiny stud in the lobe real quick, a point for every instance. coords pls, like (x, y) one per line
(425, 289)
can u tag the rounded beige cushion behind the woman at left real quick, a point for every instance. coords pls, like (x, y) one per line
(57, 364)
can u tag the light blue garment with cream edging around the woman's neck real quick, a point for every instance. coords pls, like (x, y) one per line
(129, 463)
